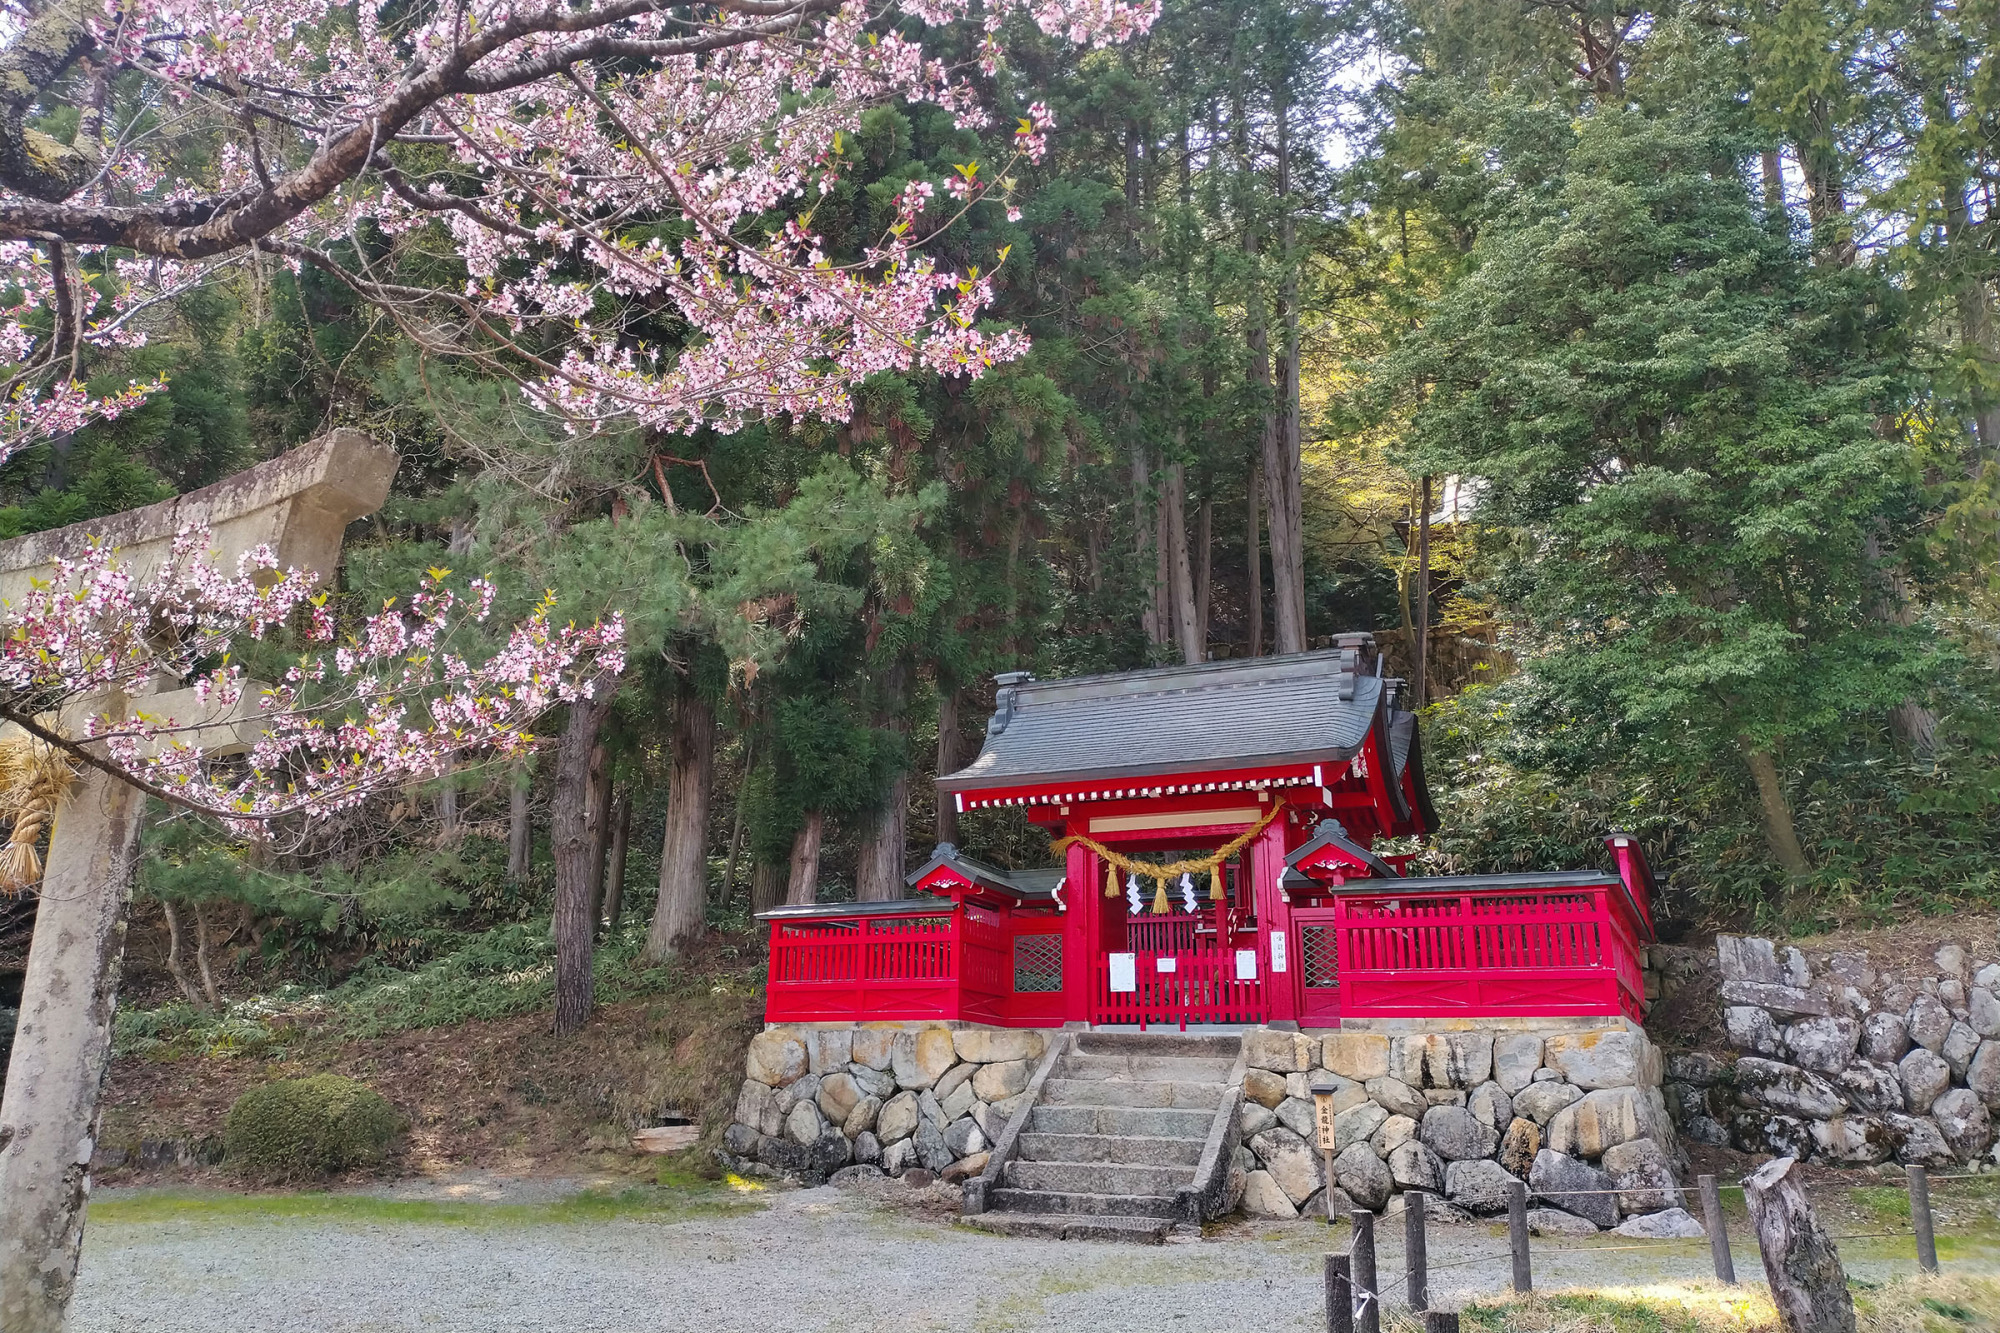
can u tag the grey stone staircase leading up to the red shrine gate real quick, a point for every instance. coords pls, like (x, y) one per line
(1117, 1138)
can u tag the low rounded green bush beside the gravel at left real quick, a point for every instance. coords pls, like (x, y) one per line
(309, 1128)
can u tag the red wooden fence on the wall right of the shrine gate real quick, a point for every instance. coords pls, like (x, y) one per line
(1475, 954)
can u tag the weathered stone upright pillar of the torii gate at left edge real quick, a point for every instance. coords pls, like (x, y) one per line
(49, 1110)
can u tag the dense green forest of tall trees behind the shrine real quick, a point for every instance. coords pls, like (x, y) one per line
(1629, 371)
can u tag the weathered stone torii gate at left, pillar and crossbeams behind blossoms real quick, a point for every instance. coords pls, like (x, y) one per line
(49, 1114)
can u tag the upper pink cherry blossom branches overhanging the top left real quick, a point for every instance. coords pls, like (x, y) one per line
(579, 161)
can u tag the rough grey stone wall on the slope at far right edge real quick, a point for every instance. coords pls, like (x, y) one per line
(1847, 1064)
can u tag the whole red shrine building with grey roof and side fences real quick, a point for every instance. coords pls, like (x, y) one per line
(1227, 858)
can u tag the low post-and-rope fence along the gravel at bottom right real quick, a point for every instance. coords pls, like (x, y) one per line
(1355, 1296)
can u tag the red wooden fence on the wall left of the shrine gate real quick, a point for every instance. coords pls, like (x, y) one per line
(941, 962)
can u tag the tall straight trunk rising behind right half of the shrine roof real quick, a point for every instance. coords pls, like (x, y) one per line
(1283, 463)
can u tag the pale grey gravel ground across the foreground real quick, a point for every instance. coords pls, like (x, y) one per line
(795, 1260)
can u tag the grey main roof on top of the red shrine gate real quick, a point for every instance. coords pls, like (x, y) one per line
(1241, 714)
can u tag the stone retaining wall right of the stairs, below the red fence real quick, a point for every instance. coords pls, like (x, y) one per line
(1465, 1116)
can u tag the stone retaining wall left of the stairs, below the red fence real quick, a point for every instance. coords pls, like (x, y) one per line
(885, 1096)
